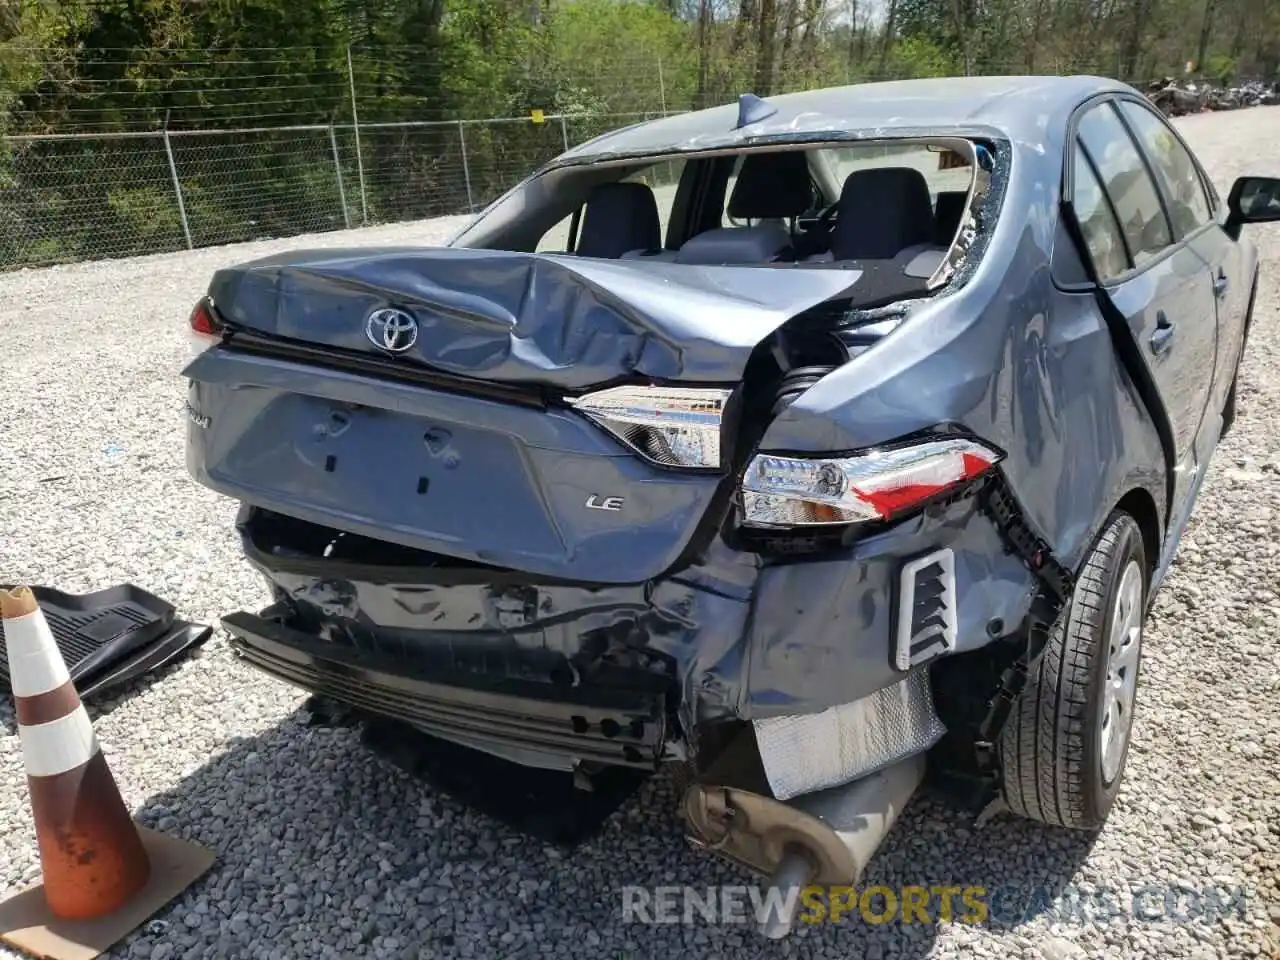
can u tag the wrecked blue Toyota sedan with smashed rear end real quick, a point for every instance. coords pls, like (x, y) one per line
(797, 442)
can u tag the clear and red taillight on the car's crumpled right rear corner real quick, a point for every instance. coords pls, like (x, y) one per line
(875, 486)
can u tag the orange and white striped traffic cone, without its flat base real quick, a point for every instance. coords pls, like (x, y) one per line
(92, 854)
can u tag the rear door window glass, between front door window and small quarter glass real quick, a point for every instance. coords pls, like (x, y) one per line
(1127, 184)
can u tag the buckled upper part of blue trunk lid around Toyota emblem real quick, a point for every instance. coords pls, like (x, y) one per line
(557, 321)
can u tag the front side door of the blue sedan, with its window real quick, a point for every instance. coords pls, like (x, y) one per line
(1197, 214)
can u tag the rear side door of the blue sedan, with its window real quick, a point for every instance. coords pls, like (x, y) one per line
(1167, 291)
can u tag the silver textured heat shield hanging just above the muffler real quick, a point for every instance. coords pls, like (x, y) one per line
(813, 752)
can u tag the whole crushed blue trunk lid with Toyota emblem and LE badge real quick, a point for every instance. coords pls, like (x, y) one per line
(451, 469)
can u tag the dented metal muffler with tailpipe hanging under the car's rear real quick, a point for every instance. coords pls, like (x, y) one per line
(826, 838)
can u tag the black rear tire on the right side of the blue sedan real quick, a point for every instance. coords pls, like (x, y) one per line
(1050, 749)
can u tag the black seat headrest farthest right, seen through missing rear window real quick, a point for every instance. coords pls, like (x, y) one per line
(883, 212)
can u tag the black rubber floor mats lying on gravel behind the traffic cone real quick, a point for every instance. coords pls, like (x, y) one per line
(109, 637)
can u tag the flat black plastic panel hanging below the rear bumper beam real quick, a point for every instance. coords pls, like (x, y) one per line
(543, 804)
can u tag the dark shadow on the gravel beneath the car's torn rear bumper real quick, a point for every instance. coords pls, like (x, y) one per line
(328, 851)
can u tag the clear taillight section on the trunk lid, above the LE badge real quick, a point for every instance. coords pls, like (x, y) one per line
(671, 426)
